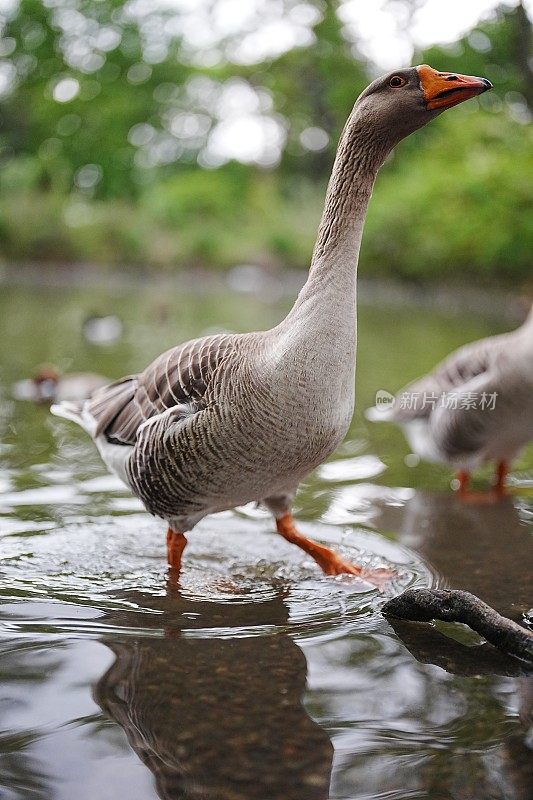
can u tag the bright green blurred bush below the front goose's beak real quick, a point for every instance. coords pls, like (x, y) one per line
(457, 208)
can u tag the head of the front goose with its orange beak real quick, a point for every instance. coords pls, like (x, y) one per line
(399, 103)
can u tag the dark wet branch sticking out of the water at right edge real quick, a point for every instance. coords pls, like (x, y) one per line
(451, 605)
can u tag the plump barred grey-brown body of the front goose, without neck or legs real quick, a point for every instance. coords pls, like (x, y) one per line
(166, 432)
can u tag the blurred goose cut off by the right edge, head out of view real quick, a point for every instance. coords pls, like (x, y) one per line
(476, 406)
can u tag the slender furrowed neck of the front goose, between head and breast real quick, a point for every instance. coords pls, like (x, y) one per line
(332, 276)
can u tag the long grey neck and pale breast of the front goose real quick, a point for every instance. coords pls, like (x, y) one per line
(315, 344)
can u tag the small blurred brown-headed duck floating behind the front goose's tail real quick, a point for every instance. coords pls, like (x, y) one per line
(49, 386)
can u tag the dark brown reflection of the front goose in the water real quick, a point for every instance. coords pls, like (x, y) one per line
(217, 717)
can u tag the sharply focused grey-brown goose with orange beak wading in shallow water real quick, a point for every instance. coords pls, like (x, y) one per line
(227, 419)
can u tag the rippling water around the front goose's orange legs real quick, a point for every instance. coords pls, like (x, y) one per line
(239, 579)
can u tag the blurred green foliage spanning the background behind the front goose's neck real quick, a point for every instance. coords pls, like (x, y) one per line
(99, 169)
